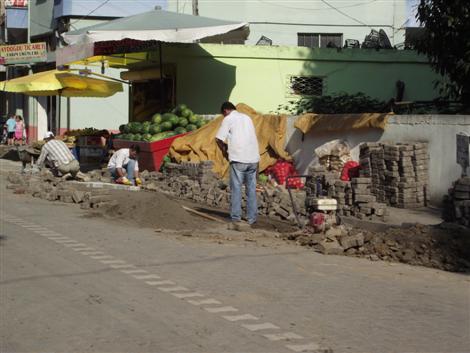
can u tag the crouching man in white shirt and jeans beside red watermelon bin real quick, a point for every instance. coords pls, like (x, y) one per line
(124, 166)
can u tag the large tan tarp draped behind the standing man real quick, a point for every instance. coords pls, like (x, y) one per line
(201, 146)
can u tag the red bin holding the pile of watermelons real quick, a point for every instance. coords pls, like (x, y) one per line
(151, 153)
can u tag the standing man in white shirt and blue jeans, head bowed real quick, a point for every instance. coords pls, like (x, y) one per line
(237, 140)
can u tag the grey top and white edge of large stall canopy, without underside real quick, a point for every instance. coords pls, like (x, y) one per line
(156, 25)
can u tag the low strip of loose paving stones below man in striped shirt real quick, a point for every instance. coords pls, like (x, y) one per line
(47, 187)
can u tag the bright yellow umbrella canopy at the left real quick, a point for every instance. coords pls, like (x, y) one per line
(64, 83)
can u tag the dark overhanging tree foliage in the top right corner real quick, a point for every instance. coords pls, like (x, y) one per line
(446, 43)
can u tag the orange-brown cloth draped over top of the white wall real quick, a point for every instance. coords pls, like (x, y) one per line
(341, 122)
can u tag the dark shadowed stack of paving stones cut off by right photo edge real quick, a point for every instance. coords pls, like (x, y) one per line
(457, 202)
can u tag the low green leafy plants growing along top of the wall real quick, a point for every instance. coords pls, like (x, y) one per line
(336, 104)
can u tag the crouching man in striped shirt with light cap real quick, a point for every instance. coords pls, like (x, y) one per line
(57, 156)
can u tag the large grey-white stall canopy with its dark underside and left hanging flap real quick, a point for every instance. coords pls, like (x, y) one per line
(144, 30)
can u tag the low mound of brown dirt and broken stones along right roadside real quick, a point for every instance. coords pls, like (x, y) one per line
(445, 247)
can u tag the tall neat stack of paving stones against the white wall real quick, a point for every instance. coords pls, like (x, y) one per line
(398, 172)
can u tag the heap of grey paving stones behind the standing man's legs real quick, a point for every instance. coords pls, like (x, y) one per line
(196, 182)
